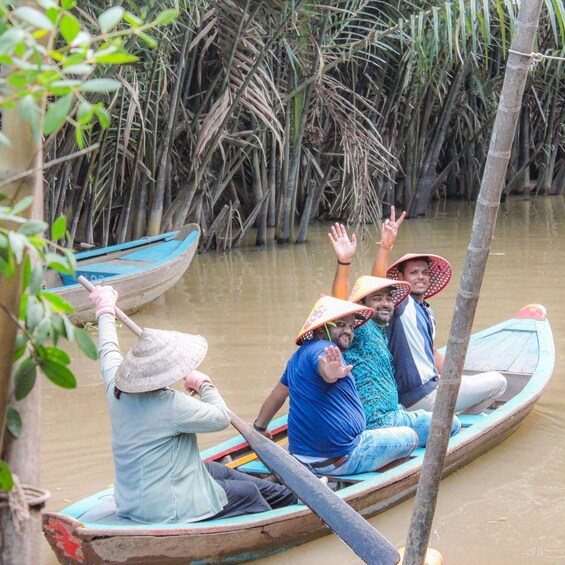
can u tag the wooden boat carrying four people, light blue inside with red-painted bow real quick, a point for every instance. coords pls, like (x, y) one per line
(89, 531)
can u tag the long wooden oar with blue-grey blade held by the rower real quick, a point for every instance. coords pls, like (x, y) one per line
(371, 546)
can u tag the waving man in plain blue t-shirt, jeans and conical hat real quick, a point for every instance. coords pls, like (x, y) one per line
(326, 420)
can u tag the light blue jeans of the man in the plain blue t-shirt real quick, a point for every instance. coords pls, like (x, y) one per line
(376, 448)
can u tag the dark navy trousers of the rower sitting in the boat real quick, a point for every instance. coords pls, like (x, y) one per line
(247, 494)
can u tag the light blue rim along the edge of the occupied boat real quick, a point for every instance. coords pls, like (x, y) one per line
(496, 426)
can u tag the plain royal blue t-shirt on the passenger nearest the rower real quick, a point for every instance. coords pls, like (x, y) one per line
(324, 419)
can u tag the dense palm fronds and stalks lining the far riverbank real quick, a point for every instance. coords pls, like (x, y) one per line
(270, 114)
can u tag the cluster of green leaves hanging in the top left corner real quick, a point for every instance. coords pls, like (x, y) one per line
(64, 73)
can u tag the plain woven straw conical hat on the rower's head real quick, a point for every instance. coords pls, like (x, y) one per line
(158, 359)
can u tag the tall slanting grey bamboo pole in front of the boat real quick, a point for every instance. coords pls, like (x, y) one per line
(475, 261)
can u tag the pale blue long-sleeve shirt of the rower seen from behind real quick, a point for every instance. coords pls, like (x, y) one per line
(159, 474)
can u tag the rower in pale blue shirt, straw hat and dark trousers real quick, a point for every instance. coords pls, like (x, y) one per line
(160, 477)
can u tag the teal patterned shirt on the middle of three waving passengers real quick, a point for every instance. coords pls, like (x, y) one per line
(373, 374)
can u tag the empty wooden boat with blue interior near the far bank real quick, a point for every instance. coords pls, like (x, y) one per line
(140, 270)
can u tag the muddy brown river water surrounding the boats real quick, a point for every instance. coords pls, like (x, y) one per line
(504, 508)
